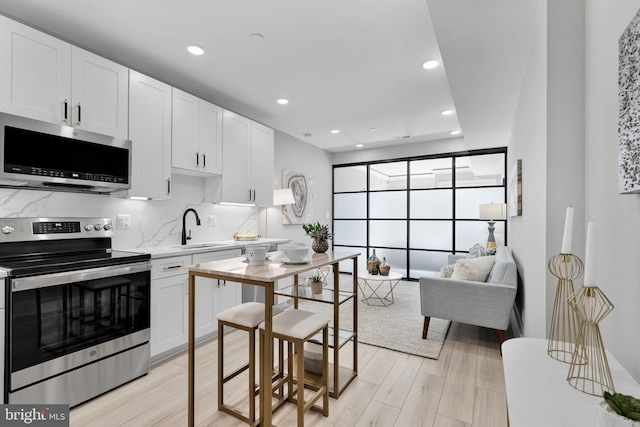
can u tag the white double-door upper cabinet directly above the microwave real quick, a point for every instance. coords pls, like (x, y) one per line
(44, 78)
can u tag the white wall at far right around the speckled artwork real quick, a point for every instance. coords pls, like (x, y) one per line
(617, 216)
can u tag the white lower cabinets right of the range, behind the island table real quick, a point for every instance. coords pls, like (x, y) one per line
(170, 300)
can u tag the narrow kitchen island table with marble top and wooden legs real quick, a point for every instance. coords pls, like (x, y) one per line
(239, 271)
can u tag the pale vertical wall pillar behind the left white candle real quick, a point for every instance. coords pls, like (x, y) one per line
(565, 131)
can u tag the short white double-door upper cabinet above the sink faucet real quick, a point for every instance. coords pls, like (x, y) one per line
(197, 135)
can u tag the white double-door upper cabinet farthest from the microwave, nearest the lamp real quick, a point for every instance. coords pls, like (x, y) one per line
(247, 173)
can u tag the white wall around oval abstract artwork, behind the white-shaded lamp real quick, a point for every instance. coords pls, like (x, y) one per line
(296, 155)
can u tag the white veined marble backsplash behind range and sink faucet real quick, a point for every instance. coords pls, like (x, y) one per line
(153, 223)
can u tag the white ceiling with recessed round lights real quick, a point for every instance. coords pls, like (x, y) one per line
(348, 65)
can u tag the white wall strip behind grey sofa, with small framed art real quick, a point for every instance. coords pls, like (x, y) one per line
(526, 232)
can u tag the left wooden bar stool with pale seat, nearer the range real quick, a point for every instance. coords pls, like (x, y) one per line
(246, 317)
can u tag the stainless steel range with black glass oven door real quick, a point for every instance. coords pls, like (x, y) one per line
(77, 311)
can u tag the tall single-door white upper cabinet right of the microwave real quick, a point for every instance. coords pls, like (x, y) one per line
(150, 133)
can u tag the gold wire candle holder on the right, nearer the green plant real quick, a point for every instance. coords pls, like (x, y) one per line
(593, 377)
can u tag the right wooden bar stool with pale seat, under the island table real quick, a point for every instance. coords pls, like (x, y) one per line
(297, 327)
